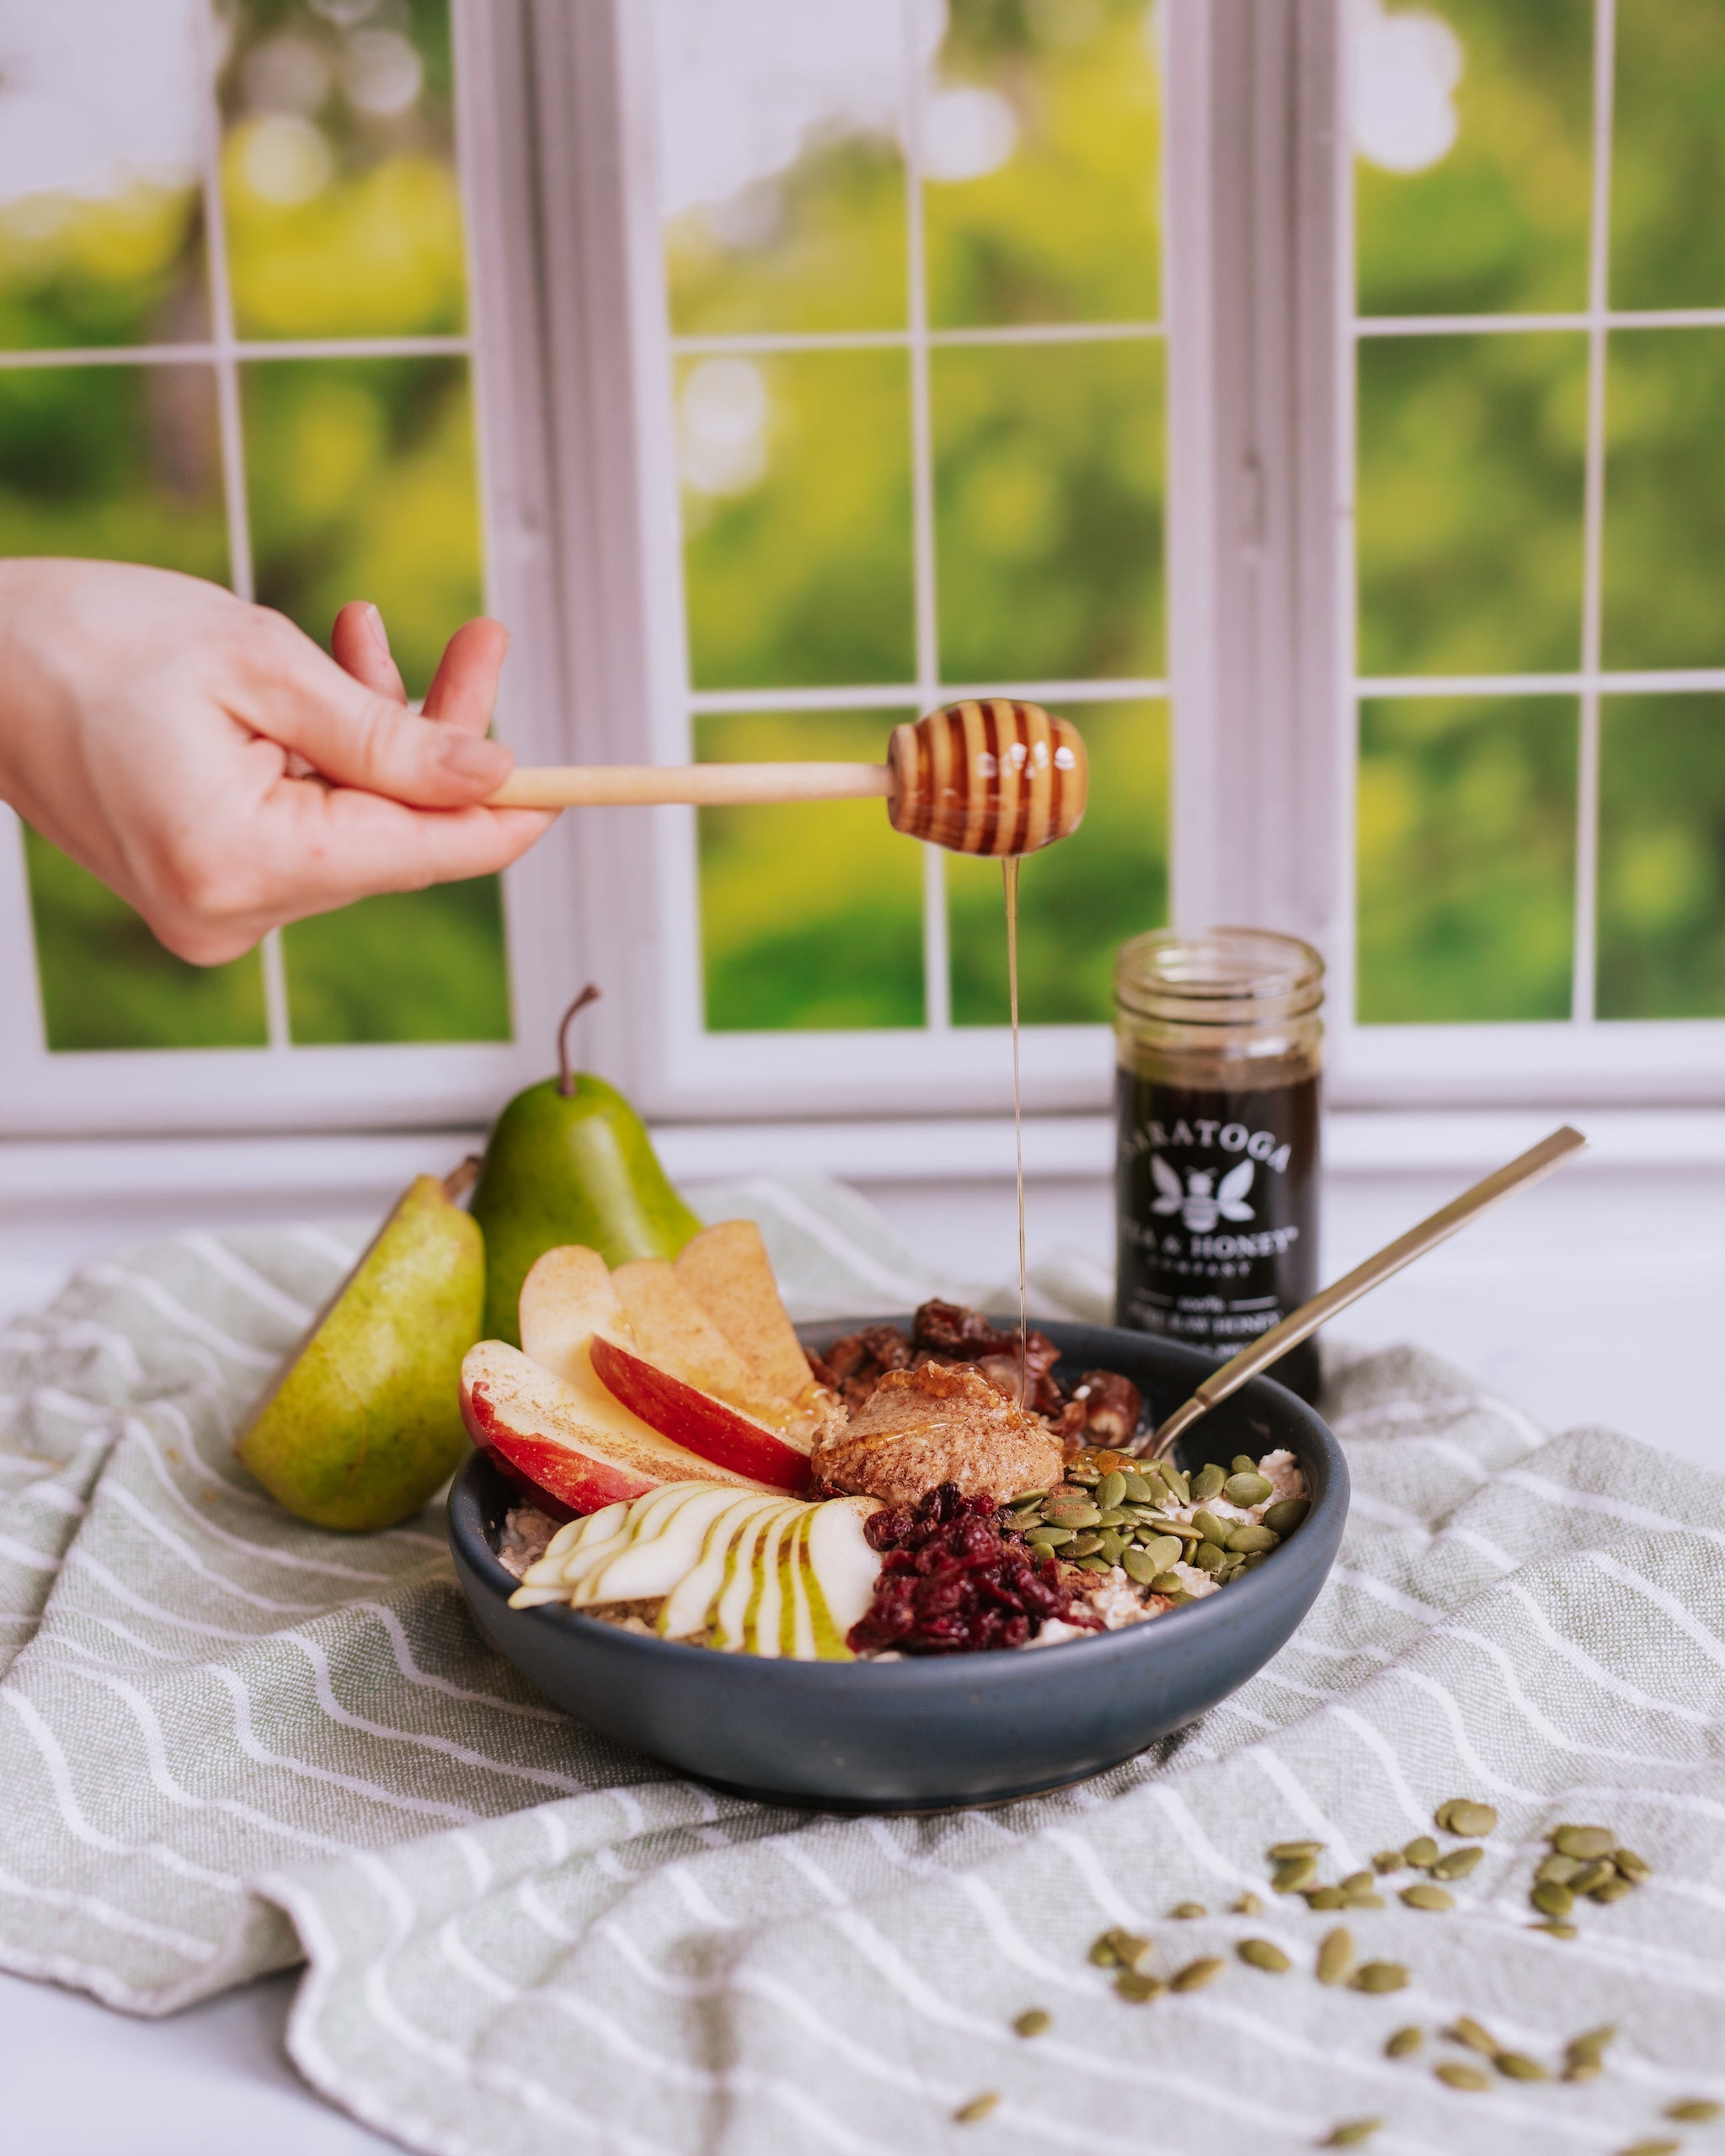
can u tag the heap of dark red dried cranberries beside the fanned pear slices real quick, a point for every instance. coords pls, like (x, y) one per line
(952, 1584)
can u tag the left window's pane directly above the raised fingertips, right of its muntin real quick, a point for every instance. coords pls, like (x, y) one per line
(361, 482)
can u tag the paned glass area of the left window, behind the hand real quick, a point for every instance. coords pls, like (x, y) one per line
(234, 344)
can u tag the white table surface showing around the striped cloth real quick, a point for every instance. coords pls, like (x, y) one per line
(1592, 1299)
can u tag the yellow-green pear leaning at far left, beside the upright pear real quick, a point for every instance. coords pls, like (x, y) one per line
(365, 1422)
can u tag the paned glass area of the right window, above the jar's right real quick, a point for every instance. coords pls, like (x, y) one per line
(1541, 348)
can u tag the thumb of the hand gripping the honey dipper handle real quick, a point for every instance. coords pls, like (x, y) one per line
(361, 738)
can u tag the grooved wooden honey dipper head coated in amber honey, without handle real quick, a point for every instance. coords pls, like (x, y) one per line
(989, 777)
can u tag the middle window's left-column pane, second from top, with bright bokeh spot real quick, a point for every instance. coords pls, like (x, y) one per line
(797, 519)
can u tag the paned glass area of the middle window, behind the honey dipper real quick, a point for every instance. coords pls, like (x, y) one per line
(913, 264)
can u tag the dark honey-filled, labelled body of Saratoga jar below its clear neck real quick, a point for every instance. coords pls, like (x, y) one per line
(1217, 1208)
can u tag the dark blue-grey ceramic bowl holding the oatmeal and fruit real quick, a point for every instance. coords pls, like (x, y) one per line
(948, 1730)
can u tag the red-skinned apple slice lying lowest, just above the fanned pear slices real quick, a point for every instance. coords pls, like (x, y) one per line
(570, 1437)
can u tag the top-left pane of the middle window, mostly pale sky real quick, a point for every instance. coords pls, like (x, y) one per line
(779, 165)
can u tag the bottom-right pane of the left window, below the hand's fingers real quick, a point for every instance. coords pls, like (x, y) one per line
(411, 967)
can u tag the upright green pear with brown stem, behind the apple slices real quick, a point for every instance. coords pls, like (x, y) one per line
(570, 1161)
